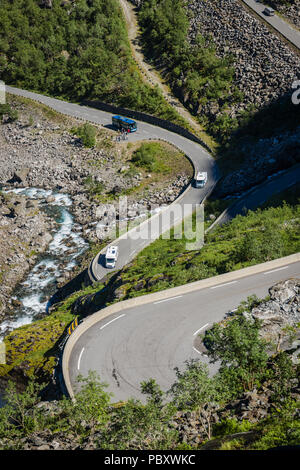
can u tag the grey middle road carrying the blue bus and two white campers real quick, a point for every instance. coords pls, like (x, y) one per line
(202, 161)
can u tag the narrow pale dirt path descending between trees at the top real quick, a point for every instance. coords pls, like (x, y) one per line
(150, 75)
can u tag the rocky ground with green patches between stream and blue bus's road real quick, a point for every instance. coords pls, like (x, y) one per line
(38, 151)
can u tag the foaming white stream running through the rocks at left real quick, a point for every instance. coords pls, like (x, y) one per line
(40, 283)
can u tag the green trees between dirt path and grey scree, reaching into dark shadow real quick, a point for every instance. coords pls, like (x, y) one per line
(198, 77)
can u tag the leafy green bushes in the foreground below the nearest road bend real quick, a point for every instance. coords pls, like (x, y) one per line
(93, 420)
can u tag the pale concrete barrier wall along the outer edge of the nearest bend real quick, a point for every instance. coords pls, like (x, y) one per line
(157, 296)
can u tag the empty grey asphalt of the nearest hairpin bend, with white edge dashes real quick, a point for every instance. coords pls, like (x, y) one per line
(149, 341)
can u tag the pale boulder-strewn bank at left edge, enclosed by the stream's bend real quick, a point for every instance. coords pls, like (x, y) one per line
(24, 232)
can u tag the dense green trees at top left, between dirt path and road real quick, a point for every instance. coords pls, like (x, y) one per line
(75, 51)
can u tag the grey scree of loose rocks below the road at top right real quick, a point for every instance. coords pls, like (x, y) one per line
(265, 67)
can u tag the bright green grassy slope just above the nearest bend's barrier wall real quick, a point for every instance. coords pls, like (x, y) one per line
(259, 236)
